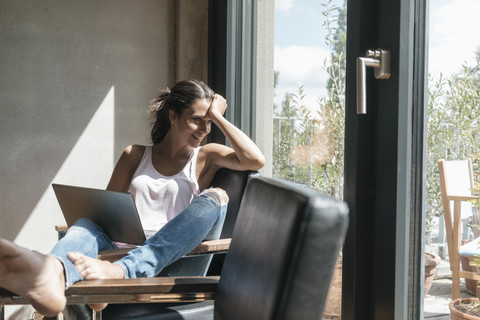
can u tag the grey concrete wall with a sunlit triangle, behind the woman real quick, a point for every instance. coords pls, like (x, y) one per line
(76, 78)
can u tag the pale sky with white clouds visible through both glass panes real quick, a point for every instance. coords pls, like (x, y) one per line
(300, 50)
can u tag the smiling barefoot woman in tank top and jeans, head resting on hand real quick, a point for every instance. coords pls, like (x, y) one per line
(170, 183)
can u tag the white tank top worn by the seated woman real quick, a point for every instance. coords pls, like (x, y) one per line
(160, 198)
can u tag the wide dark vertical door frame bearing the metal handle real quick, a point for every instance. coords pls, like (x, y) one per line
(382, 255)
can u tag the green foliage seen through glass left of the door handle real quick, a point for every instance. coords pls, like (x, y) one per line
(309, 142)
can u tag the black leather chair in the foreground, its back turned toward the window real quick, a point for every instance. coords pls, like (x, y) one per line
(279, 266)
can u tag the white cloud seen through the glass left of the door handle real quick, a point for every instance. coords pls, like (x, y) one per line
(301, 65)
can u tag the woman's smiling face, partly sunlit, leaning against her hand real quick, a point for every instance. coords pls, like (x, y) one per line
(194, 124)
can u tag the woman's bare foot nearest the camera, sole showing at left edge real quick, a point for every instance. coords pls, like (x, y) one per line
(36, 277)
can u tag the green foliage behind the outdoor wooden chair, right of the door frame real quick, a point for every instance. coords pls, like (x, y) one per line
(453, 129)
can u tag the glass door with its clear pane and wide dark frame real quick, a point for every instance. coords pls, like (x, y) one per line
(374, 161)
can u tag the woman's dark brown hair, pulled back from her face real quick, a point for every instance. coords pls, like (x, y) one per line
(177, 99)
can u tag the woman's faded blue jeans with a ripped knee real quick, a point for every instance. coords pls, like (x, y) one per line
(201, 220)
